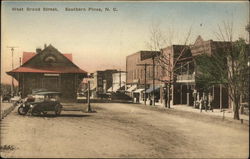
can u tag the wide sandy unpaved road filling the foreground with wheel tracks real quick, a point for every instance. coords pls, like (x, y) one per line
(123, 130)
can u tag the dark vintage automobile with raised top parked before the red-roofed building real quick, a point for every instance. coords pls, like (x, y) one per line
(41, 103)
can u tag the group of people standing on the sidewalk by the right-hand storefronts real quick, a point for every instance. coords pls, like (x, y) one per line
(204, 101)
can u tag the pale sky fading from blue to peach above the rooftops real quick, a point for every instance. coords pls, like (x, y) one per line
(100, 40)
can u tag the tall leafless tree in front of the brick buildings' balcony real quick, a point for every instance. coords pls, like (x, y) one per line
(168, 61)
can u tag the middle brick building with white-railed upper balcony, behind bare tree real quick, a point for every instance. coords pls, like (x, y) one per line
(181, 67)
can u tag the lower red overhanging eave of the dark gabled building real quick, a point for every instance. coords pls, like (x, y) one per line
(59, 69)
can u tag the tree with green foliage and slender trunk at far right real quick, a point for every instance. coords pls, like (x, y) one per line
(229, 67)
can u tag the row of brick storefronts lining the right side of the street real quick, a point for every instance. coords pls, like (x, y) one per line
(174, 64)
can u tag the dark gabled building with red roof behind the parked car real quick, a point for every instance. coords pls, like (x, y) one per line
(48, 69)
